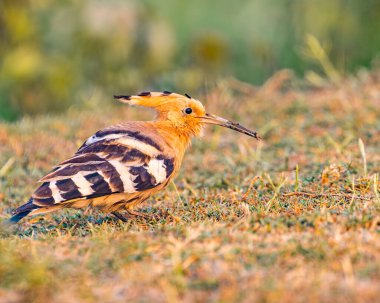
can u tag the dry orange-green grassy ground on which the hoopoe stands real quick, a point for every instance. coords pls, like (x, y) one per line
(295, 217)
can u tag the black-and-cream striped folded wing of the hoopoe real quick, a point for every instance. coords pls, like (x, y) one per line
(112, 161)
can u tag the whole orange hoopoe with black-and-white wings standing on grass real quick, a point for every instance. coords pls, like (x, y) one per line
(125, 164)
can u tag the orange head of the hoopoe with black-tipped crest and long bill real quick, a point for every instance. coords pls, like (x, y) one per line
(184, 113)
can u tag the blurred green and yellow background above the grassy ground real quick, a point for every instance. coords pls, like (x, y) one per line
(57, 54)
